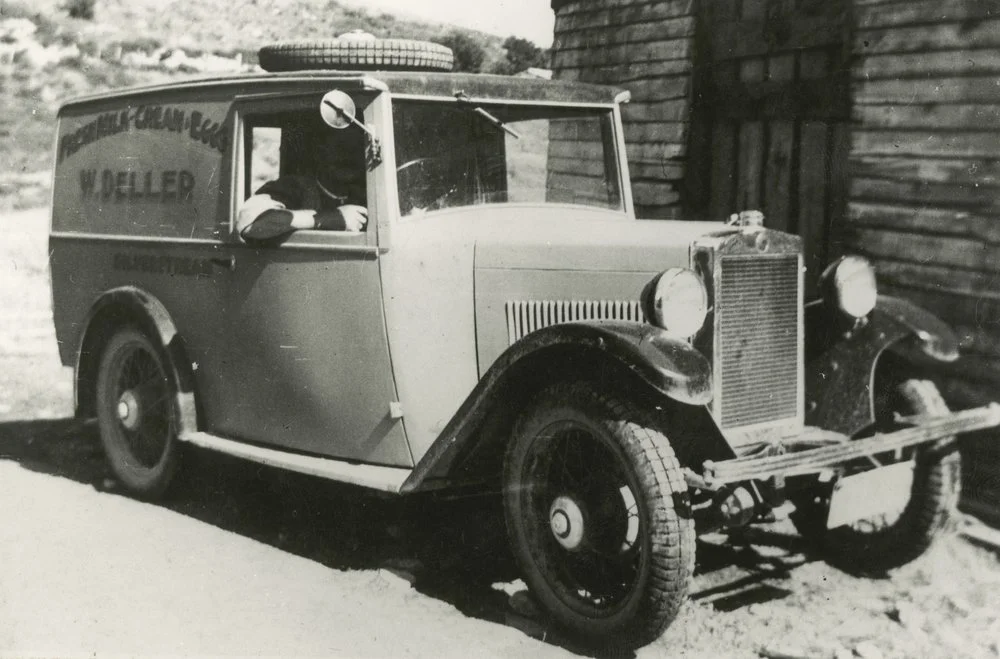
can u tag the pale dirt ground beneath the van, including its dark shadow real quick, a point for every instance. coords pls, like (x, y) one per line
(245, 560)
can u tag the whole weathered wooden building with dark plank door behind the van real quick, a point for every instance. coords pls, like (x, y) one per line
(869, 126)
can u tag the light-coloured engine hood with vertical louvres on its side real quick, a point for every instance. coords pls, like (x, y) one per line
(532, 271)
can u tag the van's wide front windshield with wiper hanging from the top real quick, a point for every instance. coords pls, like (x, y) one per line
(468, 153)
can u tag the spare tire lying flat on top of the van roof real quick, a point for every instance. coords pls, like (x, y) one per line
(357, 51)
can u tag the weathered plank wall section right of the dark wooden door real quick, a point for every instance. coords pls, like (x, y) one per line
(924, 199)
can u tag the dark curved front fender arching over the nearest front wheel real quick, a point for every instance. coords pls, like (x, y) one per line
(670, 366)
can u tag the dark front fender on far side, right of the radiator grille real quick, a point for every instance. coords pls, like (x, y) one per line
(840, 371)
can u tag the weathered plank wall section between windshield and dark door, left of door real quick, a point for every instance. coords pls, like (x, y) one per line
(645, 46)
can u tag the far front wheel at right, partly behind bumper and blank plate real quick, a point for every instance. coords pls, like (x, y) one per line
(887, 541)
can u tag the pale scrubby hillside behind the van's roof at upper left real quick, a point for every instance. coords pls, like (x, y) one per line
(46, 56)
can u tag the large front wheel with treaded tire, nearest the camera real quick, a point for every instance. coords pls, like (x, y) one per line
(596, 509)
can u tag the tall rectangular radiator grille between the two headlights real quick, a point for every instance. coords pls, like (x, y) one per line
(757, 316)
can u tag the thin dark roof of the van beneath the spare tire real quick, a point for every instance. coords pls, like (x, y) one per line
(482, 87)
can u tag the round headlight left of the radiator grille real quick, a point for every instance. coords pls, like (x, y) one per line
(676, 301)
